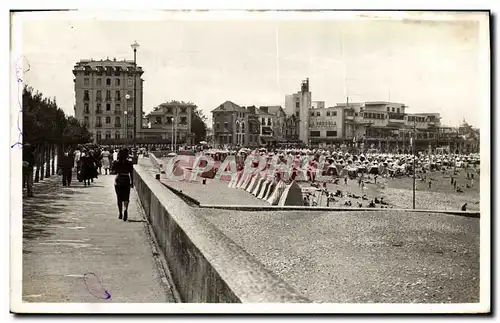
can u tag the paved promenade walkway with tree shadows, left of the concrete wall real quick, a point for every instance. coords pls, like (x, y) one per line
(75, 248)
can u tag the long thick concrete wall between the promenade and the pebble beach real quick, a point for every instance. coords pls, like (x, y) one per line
(205, 265)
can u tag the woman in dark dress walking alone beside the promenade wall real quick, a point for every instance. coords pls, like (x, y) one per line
(124, 181)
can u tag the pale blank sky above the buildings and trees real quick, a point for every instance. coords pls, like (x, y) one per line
(431, 66)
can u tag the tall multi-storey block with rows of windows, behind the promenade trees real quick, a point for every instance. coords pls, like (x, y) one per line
(104, 98)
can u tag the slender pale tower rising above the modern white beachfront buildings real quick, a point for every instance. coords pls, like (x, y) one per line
(298, 104)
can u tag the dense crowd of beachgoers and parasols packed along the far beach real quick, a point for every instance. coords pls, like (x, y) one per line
(341, 167)
